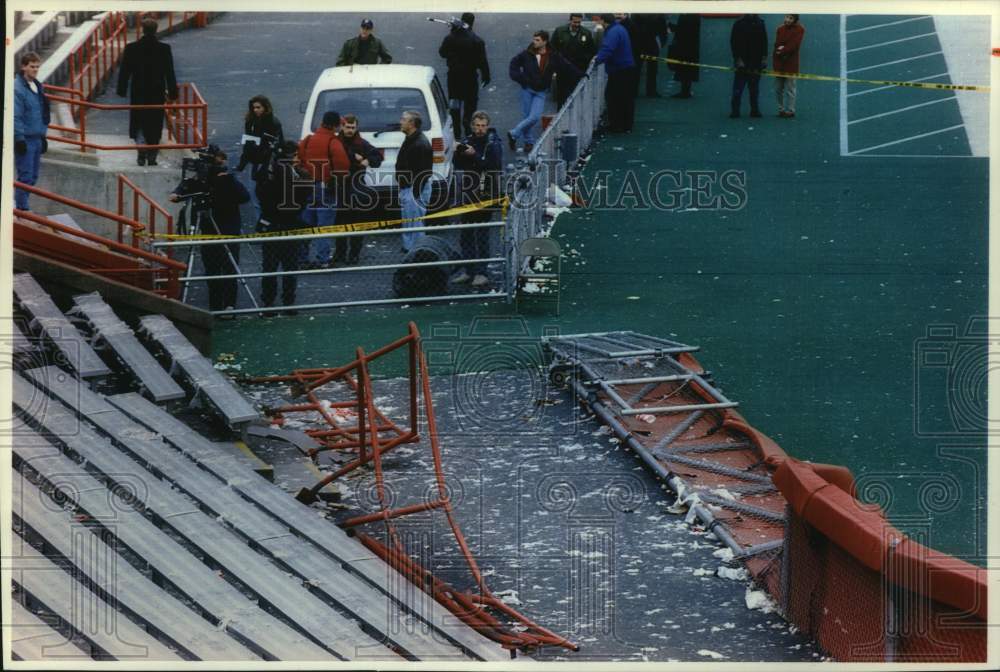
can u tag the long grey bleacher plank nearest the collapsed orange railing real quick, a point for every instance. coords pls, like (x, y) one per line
(305, 521)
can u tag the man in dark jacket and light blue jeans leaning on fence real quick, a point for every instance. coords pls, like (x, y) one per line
(533, 69)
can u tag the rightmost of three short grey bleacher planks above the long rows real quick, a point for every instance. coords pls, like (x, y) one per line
(218, 390)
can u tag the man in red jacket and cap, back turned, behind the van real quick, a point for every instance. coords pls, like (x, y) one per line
(323, 158)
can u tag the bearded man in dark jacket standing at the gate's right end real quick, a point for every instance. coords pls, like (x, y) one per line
(479, 169)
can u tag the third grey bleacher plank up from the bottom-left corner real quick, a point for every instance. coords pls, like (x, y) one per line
(126, 586)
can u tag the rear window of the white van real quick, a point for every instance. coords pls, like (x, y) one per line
(376, 108)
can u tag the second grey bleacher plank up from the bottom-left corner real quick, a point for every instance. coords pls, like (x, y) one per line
(47, 585)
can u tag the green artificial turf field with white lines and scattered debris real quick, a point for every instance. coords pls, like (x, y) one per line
(810, 303)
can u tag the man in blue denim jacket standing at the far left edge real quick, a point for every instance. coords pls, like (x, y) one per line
(31, 122)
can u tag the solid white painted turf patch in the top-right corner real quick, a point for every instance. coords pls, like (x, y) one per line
(965, 41)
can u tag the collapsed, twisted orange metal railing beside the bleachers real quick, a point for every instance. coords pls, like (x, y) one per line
(370, 434)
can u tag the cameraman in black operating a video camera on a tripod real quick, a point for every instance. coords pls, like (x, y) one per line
(215, 190)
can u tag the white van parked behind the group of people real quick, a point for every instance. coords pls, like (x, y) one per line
(378, 94)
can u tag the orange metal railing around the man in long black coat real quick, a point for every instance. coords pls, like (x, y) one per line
(186, 122)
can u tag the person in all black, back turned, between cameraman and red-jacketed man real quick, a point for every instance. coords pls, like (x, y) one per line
(283, 194)
